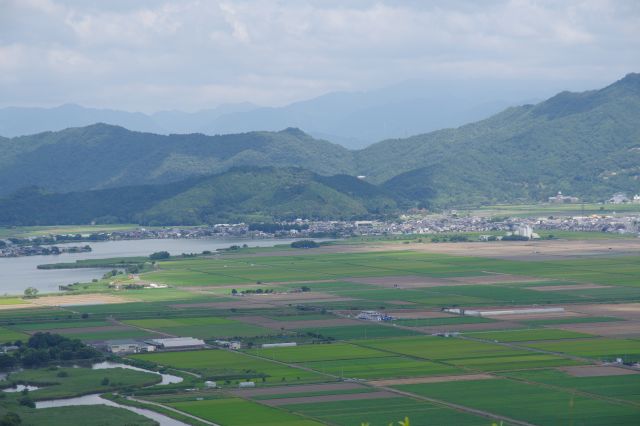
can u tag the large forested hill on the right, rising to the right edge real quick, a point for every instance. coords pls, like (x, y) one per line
(585, 144)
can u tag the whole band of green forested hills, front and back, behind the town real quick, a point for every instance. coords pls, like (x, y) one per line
(584, 144)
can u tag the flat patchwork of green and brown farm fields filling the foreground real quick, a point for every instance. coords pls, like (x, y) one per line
(428, 364)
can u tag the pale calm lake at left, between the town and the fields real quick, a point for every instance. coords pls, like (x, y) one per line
(18, 273)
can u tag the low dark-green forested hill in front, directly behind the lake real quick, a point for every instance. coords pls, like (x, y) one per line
(241, 194)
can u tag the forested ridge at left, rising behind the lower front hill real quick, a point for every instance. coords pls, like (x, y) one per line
(104, 156)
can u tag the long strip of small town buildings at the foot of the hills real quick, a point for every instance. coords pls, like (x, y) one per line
(452, 222)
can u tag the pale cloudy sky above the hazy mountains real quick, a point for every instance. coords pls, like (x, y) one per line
(149, 55)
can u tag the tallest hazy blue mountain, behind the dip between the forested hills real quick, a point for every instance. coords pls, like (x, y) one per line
(358, 119)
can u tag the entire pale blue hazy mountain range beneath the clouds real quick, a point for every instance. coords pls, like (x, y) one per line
(353, 119)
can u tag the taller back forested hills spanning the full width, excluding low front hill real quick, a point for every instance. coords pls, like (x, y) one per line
(584, 144)
